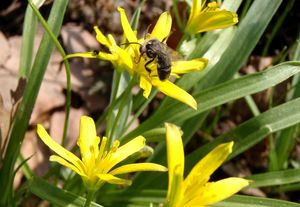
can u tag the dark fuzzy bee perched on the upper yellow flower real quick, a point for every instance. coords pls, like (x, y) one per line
(157, 51)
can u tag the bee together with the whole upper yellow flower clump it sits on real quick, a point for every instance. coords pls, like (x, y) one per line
(142, 59)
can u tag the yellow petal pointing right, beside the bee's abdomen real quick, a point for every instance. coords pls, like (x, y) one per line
(187, 66)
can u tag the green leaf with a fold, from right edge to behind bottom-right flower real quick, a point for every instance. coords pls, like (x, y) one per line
(252, 131)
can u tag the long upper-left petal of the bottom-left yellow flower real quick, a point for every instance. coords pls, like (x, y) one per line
(62, 152)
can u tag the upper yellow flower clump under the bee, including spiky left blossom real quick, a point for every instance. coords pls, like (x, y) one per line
(130, 59)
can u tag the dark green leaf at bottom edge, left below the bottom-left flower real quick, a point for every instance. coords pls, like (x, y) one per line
(55, 195)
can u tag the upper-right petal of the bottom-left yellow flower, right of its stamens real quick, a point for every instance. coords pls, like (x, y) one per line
(126, 150)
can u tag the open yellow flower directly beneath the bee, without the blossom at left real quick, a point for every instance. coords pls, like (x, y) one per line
(160, 32)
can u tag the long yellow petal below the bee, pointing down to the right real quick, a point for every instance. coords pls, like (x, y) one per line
(175, 92)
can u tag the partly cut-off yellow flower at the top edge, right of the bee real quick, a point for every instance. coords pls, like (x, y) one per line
(205, 18)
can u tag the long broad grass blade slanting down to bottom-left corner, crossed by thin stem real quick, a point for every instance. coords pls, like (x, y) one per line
(23, 113)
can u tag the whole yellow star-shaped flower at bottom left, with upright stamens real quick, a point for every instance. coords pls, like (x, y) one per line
(96, 164)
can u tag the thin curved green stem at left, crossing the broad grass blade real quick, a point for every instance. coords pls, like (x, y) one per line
(66, 63)
